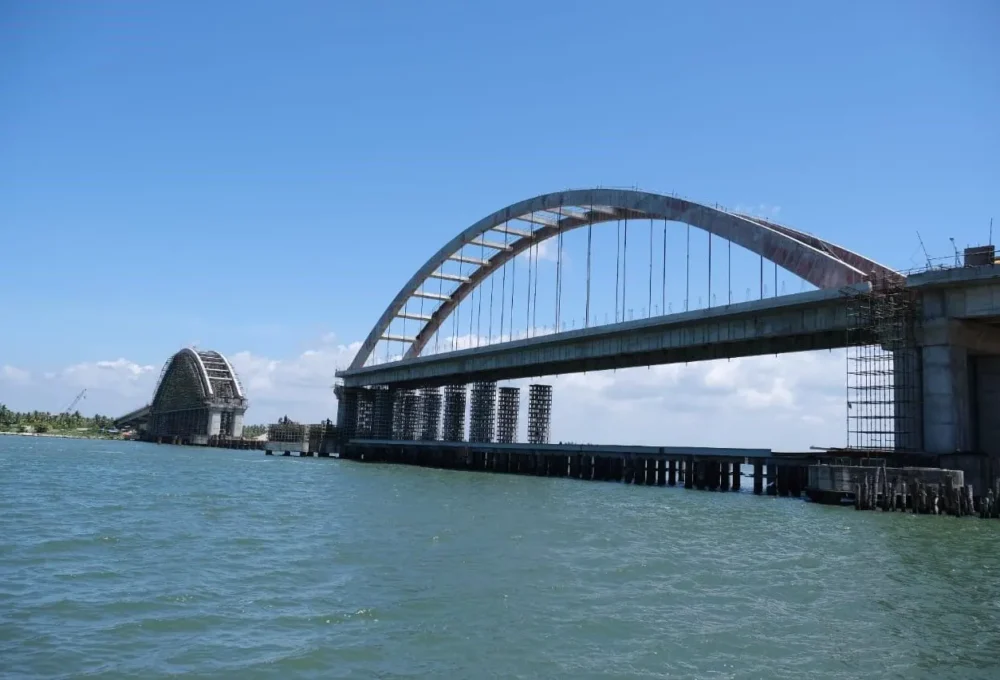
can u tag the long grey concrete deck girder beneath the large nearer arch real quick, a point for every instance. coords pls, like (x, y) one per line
(790, 323)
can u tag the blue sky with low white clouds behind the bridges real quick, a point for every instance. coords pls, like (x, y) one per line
(261, 178)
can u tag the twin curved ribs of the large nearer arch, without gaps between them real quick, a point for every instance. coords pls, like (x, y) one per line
(819, 262)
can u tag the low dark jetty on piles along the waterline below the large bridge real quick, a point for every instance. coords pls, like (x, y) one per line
(927, 490)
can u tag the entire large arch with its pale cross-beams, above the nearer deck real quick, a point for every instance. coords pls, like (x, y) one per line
(501, 236)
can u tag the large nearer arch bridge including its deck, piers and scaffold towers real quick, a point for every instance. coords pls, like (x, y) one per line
(923, 351)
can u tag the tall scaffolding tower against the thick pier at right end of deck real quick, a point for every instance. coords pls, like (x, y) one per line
(883, 370)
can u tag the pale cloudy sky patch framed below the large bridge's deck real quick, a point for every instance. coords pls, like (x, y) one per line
(785, 403)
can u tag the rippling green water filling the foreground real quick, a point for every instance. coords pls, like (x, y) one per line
(121, 559)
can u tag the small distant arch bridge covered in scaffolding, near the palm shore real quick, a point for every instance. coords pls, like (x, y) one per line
(198, 396)
